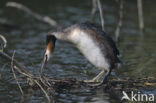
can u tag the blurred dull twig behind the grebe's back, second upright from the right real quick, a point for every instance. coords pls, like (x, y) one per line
(117, 31)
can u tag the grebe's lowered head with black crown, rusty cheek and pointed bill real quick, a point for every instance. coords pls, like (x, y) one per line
(50, 45)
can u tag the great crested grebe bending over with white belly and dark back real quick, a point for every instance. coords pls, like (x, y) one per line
(93, 43)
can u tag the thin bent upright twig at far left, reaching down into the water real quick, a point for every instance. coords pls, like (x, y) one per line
(12, 64)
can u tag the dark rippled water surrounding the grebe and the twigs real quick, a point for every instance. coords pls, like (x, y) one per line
(138, 52)
